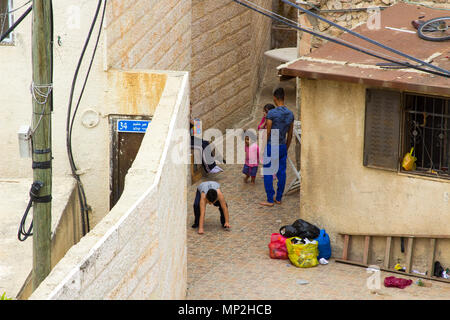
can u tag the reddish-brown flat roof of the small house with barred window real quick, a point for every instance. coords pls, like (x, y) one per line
(336, 62)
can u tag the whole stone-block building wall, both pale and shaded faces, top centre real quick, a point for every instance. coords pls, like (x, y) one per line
(220, 42)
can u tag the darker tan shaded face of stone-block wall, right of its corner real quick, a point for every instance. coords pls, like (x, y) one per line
(228, 43)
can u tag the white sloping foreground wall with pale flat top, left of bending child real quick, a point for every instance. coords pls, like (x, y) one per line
(138, 251)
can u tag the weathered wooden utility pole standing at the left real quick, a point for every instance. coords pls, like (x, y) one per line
(41, 137)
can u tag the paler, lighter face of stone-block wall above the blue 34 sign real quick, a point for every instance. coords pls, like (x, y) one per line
(149, 34)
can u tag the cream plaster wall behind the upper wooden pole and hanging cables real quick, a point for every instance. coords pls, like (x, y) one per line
(16, 101)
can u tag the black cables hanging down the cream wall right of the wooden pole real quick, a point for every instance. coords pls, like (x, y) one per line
(69, 124)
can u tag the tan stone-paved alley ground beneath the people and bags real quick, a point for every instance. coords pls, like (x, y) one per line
(235, 264)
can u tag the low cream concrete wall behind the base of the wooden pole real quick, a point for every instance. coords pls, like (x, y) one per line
(16, 260)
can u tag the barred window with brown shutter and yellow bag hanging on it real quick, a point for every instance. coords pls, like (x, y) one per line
(396, 122)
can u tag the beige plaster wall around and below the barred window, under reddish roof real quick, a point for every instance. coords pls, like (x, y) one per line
(341, 195)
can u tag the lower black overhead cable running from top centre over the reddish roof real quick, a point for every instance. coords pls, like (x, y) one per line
(338, 41)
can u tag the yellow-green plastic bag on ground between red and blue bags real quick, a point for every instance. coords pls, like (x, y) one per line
(303, 255)
